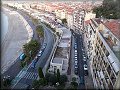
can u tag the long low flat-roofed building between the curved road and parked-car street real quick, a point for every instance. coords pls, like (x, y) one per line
(62, 54)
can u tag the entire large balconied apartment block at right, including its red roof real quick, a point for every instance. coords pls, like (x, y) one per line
(102, 42)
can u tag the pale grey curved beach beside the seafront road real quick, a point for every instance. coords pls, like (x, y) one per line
(15, 38)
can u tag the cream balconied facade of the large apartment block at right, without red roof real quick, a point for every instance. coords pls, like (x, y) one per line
(103, 62)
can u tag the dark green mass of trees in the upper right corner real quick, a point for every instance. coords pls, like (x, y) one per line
(109, 9)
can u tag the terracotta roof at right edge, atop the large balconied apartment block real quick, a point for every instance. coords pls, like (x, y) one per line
(114, 26)
